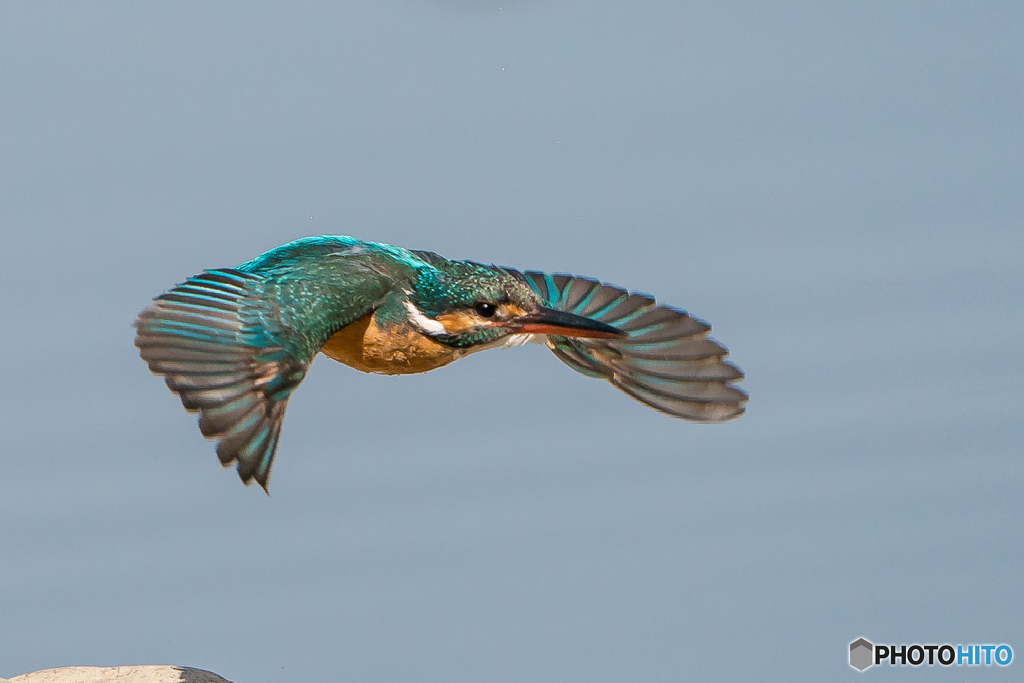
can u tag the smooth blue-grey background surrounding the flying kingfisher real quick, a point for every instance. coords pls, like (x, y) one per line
(838, 188)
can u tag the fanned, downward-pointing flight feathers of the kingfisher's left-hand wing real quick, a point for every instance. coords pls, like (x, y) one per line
(210, 339)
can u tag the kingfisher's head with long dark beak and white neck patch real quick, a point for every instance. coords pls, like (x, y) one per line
(464, 305)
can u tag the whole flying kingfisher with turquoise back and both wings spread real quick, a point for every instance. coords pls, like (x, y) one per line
(235, 344)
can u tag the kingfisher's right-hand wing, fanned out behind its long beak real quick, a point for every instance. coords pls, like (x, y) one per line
(668, 362)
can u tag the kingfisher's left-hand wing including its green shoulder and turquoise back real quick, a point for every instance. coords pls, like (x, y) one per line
(235, 344)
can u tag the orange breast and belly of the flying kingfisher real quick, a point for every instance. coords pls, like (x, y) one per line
(390, 351)
